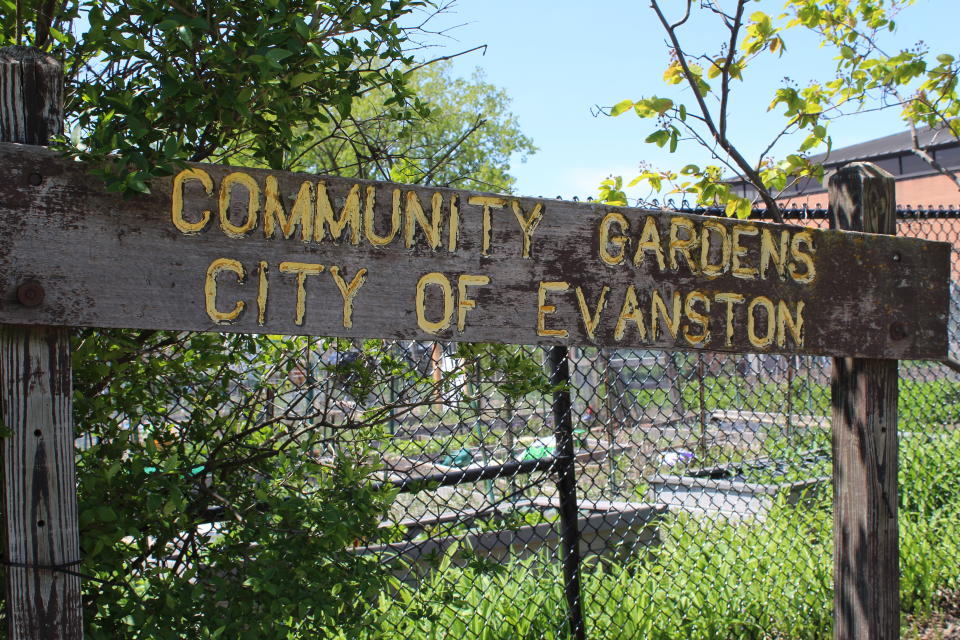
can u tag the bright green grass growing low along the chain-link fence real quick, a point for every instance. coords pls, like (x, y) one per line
(710, 579)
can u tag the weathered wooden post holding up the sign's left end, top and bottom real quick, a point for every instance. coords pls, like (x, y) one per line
(41, 541)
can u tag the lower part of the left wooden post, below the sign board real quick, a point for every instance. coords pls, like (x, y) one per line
(39, 484)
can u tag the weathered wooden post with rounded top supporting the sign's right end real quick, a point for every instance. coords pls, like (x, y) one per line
(866, 553)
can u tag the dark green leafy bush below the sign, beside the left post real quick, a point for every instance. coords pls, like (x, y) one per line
(189, 429)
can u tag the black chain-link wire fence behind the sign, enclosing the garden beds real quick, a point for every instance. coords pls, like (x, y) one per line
(537, 493)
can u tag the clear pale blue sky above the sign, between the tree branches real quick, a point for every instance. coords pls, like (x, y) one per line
(558, 59)
